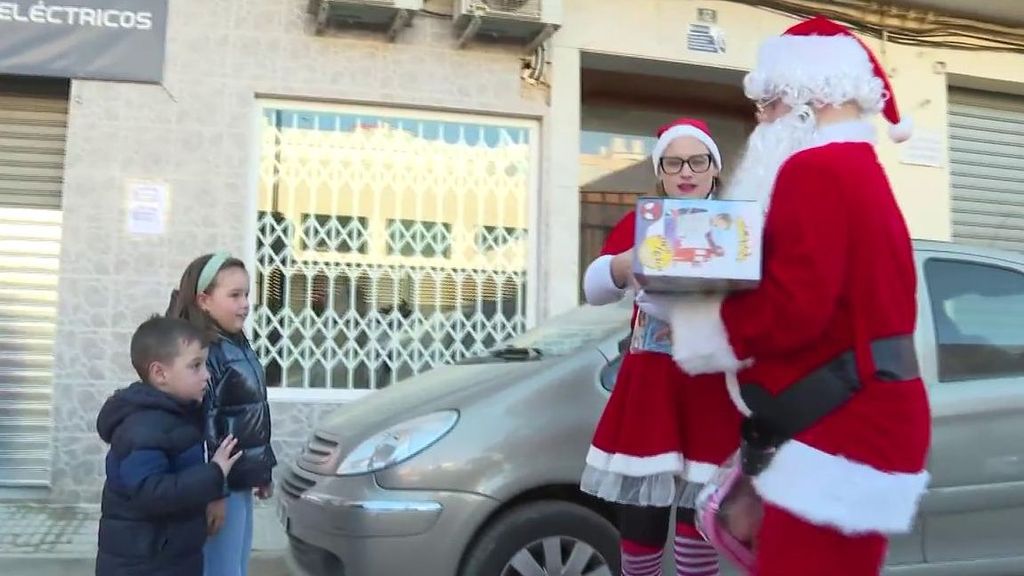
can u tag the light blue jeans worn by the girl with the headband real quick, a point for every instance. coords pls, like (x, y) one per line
(227, 554)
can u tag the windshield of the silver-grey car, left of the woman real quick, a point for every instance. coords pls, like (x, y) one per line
(567, 334)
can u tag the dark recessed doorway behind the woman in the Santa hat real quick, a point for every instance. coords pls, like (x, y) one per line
(624, 102)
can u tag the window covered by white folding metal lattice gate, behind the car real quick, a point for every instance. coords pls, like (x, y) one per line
(389, 241)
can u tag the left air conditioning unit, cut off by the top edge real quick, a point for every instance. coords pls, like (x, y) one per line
(391, 16)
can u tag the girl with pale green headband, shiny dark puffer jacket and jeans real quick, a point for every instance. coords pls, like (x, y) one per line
(215, 297)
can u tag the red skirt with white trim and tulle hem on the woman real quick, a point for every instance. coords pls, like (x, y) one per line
(662, 436)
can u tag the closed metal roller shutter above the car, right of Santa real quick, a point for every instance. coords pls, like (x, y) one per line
(987, 160)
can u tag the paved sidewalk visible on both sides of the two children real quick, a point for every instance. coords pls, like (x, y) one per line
(48, 541)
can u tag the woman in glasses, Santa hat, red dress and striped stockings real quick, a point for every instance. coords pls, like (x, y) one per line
(663, 433)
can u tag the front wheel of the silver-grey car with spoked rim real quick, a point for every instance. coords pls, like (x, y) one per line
(548, 539)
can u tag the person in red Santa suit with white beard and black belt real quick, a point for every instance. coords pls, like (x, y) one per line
(825, 347)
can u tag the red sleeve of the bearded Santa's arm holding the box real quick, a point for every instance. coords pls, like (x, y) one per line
(805, 263)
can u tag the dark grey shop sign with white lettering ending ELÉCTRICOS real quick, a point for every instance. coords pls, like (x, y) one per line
(89, 39)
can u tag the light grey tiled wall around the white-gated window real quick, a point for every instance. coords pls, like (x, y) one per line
(197, 133)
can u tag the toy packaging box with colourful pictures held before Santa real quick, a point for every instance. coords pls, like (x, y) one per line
(691, 245)
